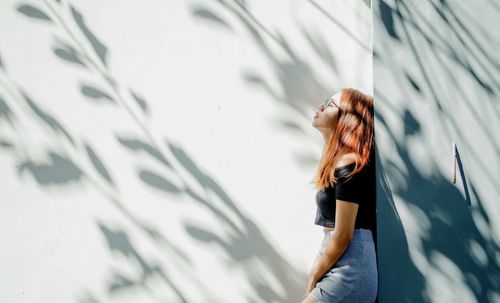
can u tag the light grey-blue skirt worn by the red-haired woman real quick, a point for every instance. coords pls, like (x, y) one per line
(354, 277)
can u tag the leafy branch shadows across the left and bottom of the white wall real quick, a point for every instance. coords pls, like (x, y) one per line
(74, 160)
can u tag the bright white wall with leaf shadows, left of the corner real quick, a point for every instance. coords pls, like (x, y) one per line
(198, 193)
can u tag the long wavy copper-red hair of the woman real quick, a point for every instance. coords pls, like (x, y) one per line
(355, 133)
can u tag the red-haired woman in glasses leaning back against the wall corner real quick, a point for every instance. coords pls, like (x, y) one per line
(345, 269)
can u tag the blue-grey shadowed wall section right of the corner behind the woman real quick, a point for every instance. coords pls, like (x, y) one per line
(436, 81)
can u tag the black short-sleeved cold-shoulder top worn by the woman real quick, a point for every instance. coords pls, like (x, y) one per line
(359, 189)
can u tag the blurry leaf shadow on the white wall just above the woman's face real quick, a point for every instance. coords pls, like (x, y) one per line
(298, 87)
